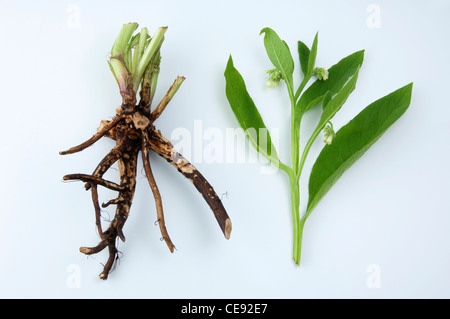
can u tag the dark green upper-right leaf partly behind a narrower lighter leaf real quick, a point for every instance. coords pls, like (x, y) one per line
(338, 75)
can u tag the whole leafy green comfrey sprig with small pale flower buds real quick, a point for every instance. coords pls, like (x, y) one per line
(330, 89)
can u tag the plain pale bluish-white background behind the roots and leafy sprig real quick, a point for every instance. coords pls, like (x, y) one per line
(389, 212)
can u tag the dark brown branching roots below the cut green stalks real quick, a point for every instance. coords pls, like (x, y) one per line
(132, 129)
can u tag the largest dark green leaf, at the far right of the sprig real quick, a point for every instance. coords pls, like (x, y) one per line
(353, 140)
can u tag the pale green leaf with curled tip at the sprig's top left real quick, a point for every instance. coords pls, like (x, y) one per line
(279, 54)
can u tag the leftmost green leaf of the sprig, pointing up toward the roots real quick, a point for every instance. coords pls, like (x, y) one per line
(246, 112)
